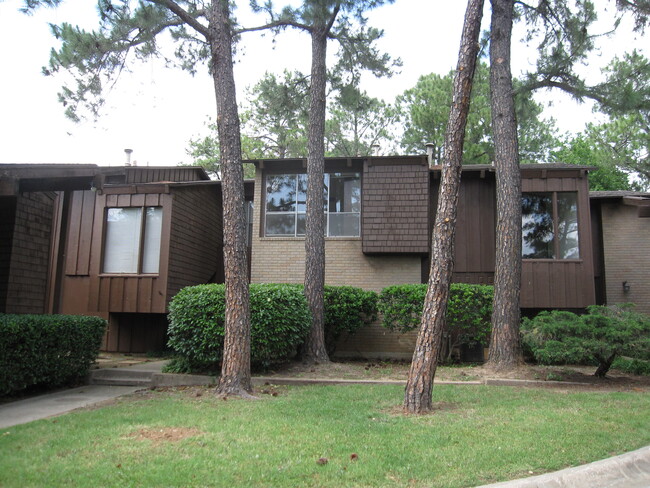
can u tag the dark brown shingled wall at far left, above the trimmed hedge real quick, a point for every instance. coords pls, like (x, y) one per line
(27, 277)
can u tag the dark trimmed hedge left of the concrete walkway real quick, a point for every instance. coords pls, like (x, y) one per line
(47, 350)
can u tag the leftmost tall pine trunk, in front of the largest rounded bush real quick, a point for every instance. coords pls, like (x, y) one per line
(235, 376)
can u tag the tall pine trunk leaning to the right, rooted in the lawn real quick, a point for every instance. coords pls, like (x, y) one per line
(417, 396)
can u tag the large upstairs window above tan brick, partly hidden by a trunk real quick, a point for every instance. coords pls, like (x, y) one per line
(286, 204)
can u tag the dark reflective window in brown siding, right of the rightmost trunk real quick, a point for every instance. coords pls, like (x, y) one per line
(550, 225)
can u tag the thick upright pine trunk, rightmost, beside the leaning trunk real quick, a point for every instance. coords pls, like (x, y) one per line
(505, 349)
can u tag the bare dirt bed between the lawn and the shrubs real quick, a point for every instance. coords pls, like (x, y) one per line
(398, 370)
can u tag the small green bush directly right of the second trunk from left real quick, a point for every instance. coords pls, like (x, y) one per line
(347, 309)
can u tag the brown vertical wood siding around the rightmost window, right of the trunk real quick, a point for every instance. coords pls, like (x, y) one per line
(554, 283)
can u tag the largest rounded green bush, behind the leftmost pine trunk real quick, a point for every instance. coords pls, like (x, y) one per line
(279, 324)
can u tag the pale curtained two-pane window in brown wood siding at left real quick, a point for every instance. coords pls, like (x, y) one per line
(132, 242)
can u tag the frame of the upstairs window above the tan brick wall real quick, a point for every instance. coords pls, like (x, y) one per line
(296, 213)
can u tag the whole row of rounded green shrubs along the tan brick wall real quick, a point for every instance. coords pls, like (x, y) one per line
(280, 319)
